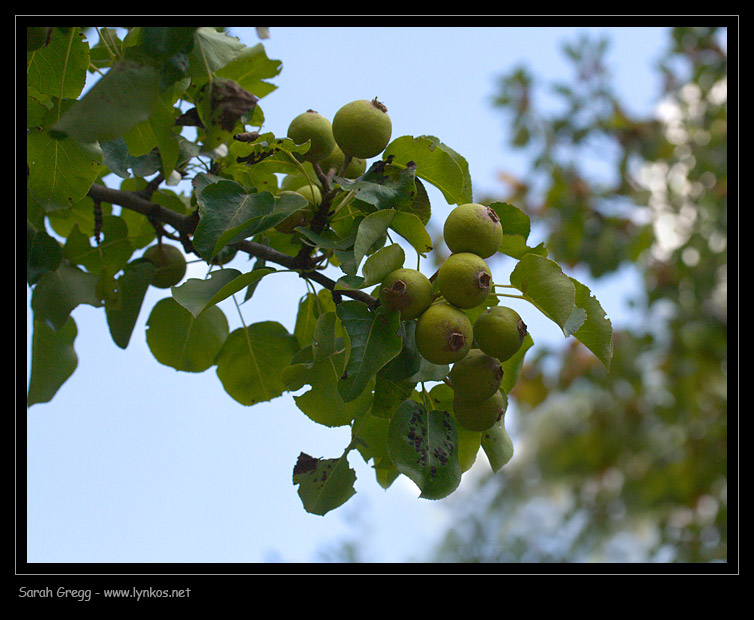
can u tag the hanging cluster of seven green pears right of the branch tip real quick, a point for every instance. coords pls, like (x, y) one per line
(444, 332)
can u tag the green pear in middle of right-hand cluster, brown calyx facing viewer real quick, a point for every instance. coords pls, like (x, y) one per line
(444, 334)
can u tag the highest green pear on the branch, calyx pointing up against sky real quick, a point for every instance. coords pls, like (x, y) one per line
(362, 128)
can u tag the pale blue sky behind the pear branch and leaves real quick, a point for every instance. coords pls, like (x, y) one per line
(133, 461)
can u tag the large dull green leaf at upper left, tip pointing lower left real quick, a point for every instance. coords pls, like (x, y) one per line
(124, 97)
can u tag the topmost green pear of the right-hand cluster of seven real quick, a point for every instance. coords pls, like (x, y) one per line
(473, 228)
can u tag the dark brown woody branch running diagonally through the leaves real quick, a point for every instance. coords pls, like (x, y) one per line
(185, 225)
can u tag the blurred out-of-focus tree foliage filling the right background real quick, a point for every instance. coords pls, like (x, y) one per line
(630, 465)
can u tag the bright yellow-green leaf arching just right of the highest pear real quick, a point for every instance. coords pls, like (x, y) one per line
(436, 163)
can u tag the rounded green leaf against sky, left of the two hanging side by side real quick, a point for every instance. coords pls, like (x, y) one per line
(182, 341)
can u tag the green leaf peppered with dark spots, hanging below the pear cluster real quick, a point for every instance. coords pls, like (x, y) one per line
(424, 446)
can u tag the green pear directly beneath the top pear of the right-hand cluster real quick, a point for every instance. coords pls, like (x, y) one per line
(464, 280)
